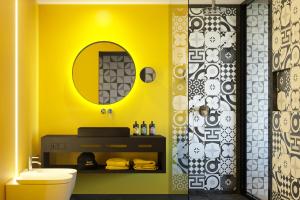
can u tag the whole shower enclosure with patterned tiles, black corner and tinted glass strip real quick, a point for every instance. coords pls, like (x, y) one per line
(221, 62)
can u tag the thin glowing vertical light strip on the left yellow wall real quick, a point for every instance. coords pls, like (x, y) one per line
(16, 87)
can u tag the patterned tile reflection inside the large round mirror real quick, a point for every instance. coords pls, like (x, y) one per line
(116, 76)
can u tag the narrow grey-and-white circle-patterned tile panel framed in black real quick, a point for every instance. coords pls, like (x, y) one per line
(257, 99)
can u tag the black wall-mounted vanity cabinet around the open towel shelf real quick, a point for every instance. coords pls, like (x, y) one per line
(73, 143)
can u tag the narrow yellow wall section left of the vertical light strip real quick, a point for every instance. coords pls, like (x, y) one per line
(7, 93)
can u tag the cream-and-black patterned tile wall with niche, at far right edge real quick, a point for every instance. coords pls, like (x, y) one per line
(286, 112)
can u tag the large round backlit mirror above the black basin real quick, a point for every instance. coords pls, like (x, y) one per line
(103, 73)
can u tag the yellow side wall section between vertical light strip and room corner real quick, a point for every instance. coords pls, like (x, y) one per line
(28, 80)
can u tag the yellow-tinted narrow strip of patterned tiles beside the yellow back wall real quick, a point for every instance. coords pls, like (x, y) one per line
(179, 113)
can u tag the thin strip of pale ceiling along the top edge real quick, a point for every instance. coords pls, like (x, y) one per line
(137, 1)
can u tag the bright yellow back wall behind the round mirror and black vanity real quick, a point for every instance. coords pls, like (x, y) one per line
(144, 31)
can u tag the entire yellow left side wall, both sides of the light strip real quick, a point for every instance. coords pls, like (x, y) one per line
(28, 85)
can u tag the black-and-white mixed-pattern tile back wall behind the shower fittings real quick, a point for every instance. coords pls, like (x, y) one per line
(212, 82)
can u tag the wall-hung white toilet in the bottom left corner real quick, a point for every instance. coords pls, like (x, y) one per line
(42, 184)
